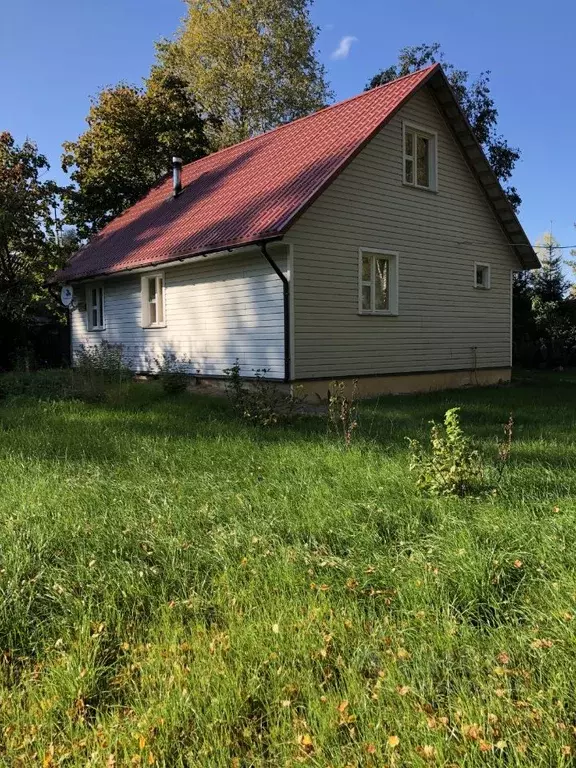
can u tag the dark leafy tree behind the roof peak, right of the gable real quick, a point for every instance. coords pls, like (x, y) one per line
(476, 101)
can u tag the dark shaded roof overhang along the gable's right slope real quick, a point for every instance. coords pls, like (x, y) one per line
(482, 170)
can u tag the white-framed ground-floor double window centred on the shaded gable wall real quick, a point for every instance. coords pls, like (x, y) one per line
(378, 282)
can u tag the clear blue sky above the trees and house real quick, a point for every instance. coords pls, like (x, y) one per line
(54, 55)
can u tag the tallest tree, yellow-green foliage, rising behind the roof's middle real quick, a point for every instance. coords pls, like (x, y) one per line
(250, 63)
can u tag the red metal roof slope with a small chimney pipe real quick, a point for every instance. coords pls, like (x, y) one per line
(246, 193)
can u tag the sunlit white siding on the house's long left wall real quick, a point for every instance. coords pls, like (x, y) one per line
(217, 310)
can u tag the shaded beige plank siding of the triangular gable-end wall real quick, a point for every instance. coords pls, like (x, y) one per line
(441, 315)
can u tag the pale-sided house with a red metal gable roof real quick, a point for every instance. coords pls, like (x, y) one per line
(370, 240)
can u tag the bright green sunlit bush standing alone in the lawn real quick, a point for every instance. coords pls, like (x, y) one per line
(453, 467)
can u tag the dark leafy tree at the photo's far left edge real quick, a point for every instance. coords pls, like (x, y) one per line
(29, 252)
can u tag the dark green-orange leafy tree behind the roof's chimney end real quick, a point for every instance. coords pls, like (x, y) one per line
(131, 137)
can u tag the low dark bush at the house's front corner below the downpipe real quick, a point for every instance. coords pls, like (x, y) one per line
(260, 401)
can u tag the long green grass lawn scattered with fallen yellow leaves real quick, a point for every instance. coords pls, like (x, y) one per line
(179, 588)
